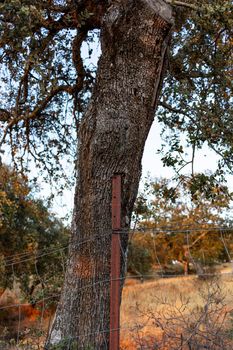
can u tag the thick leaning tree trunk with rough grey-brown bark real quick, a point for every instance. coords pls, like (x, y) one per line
(134, 38)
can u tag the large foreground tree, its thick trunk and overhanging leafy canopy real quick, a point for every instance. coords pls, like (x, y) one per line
(44, 76)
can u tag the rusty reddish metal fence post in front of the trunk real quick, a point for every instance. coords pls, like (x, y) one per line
(115, 265)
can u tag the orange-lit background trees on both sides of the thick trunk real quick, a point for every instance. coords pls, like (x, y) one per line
(169, 228)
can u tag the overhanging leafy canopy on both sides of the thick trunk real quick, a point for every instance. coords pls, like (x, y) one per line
(46, 78)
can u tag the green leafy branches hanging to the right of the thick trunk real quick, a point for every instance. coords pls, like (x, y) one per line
(197, 95)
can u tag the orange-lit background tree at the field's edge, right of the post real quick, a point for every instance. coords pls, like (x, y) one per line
(182, 230)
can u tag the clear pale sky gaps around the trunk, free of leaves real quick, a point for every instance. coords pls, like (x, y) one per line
(205, 160)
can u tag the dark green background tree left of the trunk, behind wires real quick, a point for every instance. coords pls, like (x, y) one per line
(32, 240)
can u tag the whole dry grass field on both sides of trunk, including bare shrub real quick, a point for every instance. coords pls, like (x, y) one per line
(170, 313)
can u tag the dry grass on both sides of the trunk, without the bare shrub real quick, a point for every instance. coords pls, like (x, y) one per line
(141, 304)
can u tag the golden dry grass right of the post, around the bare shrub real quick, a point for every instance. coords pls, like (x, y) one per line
(141, 302)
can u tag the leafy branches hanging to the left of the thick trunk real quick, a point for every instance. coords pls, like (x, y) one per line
(44, 82)
